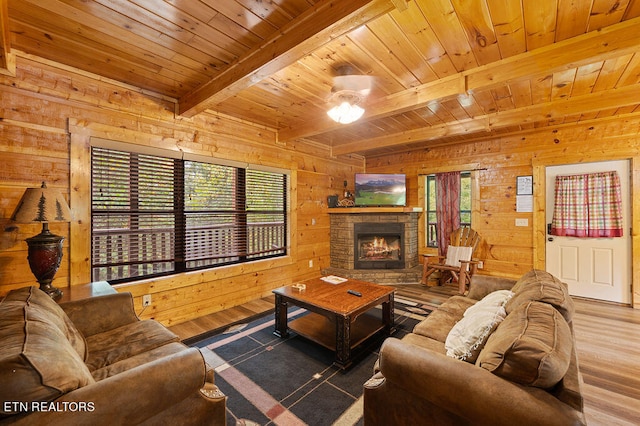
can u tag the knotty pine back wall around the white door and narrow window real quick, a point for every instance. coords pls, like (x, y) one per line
(511, 250)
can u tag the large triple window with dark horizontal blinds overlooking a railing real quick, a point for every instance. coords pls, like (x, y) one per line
(154, 216)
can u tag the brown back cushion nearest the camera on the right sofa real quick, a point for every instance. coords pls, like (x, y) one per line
(532, 346)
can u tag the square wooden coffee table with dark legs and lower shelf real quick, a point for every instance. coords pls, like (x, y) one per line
(338, 320)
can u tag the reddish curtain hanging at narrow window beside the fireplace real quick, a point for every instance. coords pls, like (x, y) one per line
(447, 207)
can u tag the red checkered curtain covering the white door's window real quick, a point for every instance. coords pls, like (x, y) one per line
(588, 206)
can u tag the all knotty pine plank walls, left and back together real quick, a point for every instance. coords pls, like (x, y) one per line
(41, 106)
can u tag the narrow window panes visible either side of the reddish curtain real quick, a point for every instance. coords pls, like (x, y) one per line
(462, 209)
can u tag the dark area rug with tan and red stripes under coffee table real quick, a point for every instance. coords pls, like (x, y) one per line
(292, 381)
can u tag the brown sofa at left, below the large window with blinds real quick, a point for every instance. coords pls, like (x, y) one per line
(94, 362)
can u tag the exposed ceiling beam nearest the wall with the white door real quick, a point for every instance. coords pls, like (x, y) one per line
(613, 98)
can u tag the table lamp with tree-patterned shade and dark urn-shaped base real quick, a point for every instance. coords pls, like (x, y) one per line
(44, 205)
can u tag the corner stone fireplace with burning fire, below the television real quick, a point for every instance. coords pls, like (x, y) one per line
(375, 244)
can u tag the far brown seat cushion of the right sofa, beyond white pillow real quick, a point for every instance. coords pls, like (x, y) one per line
(438, 324)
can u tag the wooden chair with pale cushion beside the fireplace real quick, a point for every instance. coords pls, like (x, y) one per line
(459, 264)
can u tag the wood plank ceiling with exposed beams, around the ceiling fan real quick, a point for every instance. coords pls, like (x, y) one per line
(445, 71)
